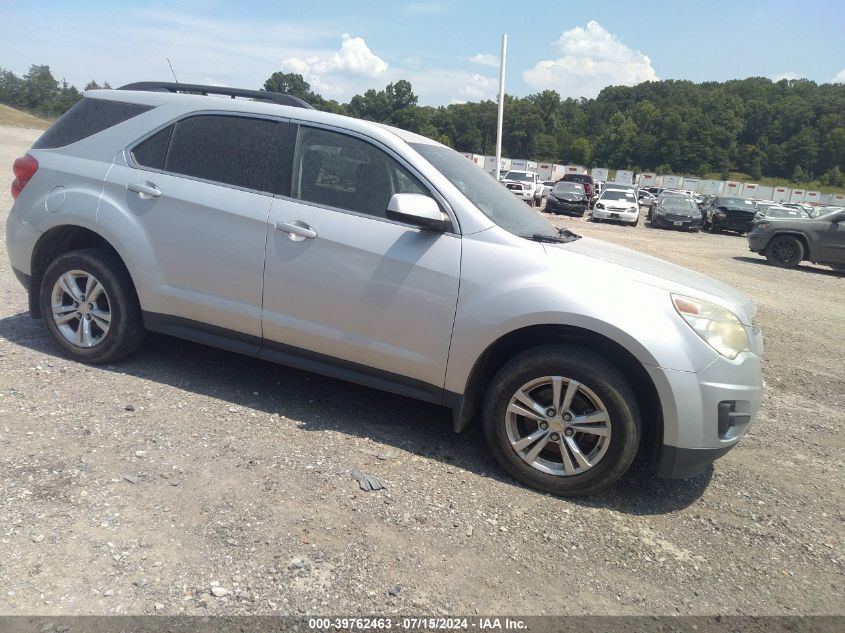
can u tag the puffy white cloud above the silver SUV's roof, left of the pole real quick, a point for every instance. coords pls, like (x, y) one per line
(332, 74)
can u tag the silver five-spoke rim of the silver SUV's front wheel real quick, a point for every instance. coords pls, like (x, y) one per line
(558, 426)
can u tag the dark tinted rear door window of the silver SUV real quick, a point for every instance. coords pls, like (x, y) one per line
(232, 150)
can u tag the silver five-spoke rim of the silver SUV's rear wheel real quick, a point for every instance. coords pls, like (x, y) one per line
(81, 308)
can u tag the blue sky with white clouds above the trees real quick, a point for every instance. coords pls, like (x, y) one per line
(449, 51)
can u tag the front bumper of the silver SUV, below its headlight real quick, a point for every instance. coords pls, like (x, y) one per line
(706, 413)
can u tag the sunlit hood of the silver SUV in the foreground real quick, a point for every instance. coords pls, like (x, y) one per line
(657, 272)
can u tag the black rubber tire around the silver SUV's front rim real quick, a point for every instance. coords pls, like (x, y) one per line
(592, 371)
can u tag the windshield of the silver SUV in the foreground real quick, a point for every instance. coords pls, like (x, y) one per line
(491, 198)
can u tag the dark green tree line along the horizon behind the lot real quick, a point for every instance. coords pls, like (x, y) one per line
(790, 129)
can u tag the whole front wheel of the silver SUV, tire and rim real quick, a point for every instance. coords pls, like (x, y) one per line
(562, 420)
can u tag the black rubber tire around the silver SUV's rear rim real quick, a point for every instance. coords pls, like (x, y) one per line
(126, 329)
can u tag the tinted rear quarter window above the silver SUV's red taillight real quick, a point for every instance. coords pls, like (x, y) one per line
(87, 117)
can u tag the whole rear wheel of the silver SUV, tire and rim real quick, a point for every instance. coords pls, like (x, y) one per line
(90, 307)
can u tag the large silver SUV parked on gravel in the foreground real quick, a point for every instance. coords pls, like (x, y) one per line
(345, 247)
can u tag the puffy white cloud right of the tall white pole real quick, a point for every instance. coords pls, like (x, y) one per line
(591, 59)
